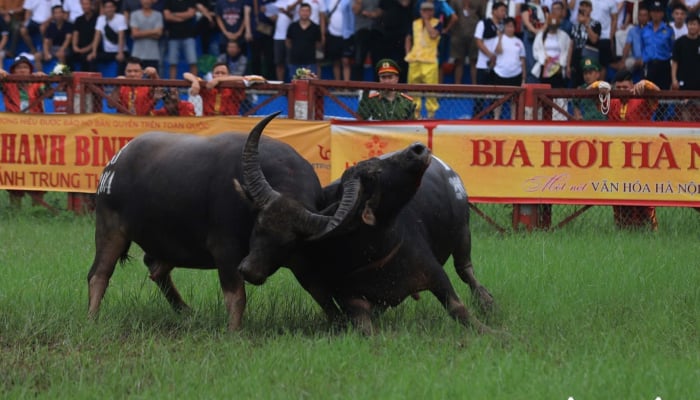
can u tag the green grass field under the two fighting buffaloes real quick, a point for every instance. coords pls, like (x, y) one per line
(594, 313)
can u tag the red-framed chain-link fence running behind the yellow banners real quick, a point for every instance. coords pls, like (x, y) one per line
(323, 100)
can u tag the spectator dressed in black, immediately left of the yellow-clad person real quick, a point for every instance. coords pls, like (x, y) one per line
(395, 24)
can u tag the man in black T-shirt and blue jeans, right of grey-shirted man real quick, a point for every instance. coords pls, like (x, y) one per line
(179, 17)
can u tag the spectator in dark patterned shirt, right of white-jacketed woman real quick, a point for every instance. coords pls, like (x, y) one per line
(585, 35)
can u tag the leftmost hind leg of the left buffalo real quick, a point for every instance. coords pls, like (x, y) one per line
(110, 245)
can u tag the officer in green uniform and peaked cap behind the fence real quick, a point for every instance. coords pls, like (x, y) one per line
(387, 104)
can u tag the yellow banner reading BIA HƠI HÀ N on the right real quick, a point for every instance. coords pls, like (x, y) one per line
(654, 164)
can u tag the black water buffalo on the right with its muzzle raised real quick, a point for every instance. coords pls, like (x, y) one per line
(409, 215)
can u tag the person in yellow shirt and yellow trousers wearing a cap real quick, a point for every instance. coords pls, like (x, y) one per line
(422, 58)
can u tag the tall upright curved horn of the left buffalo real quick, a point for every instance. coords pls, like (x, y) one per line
(256, 186)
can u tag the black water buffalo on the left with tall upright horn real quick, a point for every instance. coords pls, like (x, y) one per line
(173, 195)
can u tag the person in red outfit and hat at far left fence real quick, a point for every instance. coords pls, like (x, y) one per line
(23, 97)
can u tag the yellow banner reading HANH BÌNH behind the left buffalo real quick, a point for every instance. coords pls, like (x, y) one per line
(67, 152)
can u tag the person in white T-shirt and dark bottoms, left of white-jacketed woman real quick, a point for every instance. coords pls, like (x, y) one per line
(509, 68)
